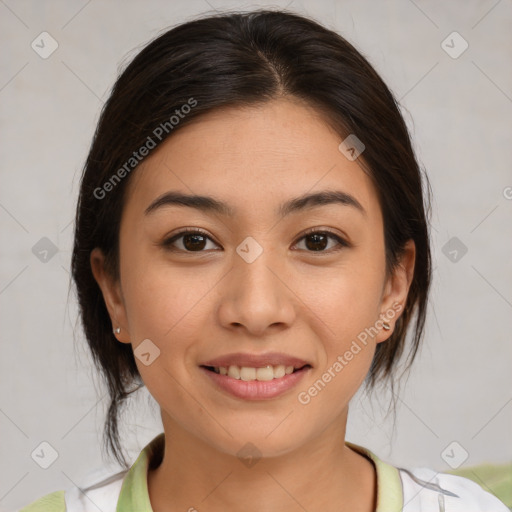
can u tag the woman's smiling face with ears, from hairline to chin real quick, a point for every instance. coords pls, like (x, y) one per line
(262, 283)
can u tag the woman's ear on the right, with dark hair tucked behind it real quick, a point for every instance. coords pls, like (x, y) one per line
(396, 290)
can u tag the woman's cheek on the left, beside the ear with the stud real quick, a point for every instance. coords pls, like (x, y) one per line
(165, 307)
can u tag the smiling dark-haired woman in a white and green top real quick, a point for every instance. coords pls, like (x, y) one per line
(251, 245)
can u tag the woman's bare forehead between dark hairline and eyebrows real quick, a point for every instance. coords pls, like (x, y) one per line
(253, 158)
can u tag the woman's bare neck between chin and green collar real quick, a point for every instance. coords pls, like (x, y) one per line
(321, 475)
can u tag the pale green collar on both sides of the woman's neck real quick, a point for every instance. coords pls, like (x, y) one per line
(134, 493)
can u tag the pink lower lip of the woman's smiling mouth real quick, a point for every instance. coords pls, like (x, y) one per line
(256, 389)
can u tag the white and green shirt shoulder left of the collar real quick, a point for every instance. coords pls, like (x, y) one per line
(100, 495)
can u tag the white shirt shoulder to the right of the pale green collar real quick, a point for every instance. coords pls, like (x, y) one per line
(427, 490)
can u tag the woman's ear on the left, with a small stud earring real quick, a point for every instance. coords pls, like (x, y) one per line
(112, 295)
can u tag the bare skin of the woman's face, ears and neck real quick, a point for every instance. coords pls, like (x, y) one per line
(311, 304)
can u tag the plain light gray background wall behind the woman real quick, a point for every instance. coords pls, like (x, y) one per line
(459, 111)
